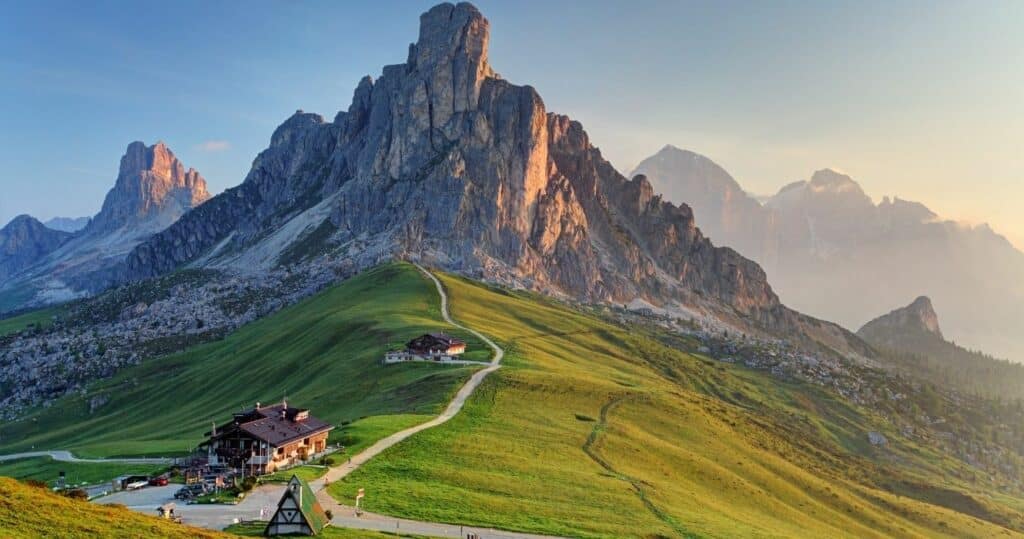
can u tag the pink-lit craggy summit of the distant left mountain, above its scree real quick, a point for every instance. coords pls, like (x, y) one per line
(153, 189)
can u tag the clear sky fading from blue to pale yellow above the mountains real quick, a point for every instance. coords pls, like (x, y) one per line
(924, 101)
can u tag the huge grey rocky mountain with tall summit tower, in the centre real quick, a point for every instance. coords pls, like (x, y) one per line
(443, 160)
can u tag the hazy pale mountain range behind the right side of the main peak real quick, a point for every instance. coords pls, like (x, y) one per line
(831, 252)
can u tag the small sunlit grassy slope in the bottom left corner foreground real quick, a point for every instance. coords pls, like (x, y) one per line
(31, 513)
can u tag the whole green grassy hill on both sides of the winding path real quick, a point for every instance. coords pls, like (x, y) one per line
(590, 430)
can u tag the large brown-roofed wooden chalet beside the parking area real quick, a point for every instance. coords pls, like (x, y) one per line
(267, 438)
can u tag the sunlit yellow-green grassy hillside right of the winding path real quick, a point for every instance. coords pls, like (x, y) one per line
(594, 431)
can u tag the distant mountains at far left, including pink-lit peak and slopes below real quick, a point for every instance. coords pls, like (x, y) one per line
(40, 265)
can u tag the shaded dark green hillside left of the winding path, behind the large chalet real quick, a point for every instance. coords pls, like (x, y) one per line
(323, 354)
